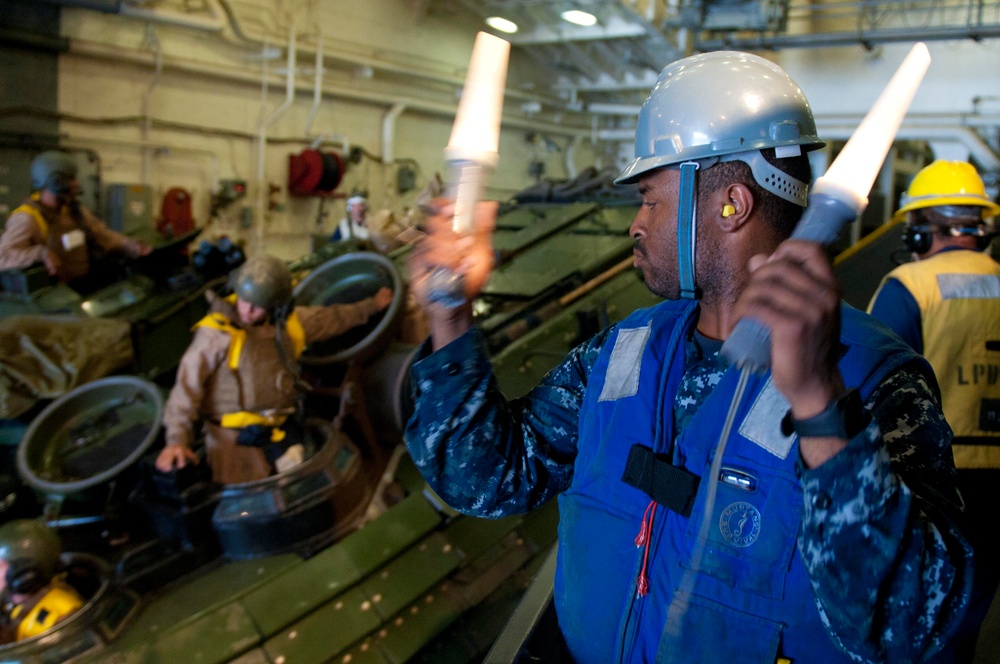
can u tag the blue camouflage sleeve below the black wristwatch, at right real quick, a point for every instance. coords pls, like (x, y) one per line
(890, 568)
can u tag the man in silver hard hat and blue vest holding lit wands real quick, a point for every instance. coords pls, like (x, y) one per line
(825, 532)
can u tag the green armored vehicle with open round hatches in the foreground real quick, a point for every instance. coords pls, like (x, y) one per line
(348, 557)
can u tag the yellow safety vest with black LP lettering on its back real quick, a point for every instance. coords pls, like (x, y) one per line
(958, 294)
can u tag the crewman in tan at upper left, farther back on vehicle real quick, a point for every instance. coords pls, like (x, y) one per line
(51, 226)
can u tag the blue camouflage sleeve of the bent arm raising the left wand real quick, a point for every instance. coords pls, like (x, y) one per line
(485, 455)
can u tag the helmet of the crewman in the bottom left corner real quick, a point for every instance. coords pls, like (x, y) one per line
(31, 551)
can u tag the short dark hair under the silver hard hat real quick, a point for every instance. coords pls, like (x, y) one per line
(780, 213)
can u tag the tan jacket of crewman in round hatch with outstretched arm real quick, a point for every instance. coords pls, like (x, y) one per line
(204, 387)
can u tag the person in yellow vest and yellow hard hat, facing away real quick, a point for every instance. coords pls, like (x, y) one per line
(946, 305)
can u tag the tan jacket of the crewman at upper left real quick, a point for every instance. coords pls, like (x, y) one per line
(33, 230)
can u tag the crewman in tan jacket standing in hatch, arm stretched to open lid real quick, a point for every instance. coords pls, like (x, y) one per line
(238, 375)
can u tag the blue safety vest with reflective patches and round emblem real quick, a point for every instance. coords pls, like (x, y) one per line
(752, 600)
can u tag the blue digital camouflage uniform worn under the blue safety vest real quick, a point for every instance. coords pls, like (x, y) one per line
(895, 480)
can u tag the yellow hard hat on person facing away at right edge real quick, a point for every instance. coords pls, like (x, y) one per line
(947, 183)
